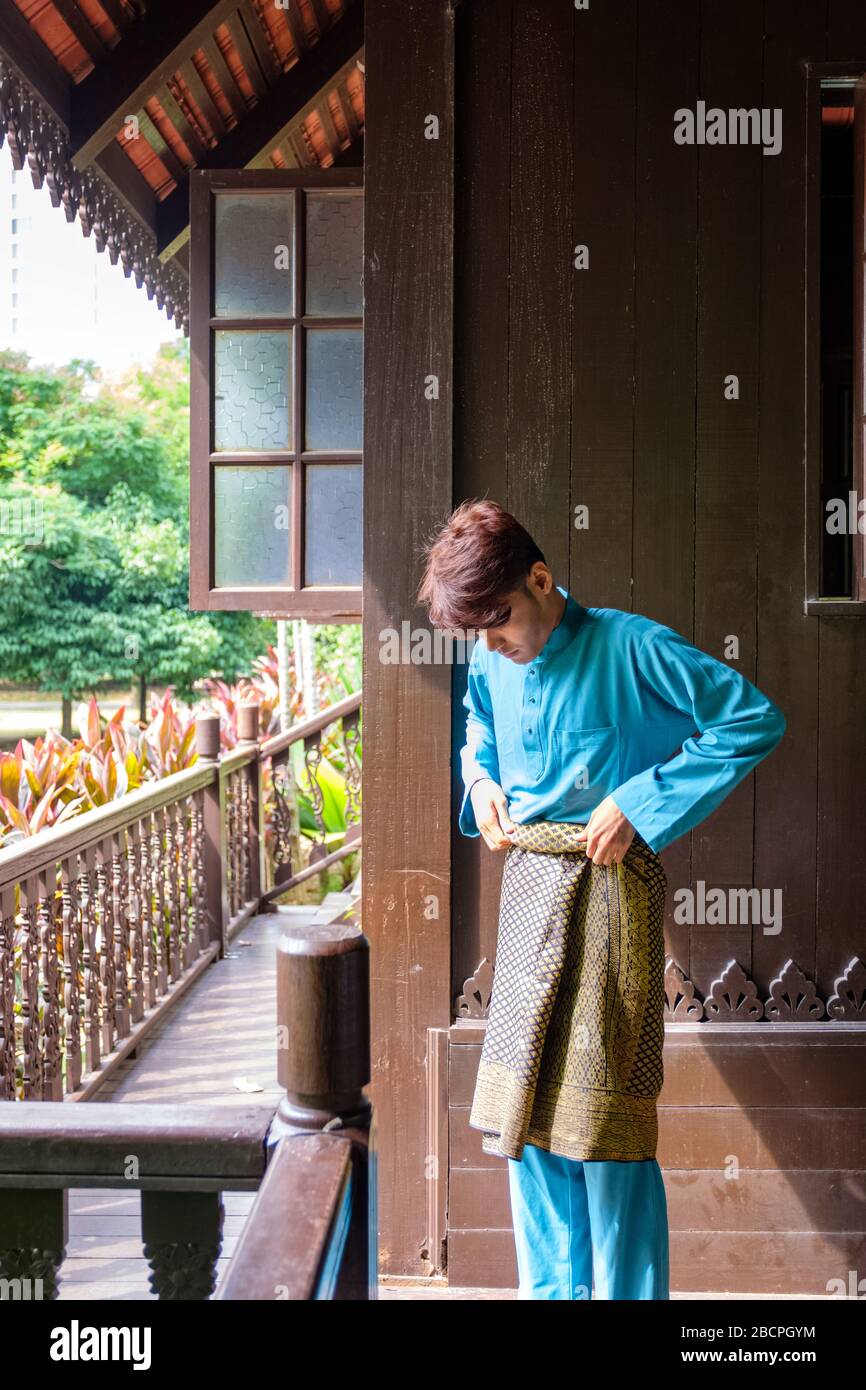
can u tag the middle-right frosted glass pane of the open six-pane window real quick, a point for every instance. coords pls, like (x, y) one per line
(334, 390)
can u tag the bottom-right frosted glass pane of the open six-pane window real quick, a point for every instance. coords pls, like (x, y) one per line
(334, 523)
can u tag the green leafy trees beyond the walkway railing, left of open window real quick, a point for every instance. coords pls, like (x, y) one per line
(99, 589)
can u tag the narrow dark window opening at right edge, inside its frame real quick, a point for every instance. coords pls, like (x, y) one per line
(838, 362)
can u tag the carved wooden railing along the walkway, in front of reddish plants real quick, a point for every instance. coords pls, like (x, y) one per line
(108, 918)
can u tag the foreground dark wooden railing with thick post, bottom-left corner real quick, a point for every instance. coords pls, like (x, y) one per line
(312, 1234)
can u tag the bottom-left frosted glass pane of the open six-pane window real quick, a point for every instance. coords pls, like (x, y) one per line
(252, 525)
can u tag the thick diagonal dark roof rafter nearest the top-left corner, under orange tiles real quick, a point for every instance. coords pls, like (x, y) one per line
(151, 54)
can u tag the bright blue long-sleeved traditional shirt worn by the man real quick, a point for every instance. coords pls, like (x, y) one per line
(615, 705)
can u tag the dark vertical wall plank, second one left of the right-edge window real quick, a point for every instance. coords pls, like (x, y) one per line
(726, 441)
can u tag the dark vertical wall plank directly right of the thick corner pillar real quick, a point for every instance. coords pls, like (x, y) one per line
(482, 383)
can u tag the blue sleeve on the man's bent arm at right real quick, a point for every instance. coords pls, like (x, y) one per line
(739, 726)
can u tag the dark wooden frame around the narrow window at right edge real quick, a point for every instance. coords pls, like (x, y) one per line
(814, 604)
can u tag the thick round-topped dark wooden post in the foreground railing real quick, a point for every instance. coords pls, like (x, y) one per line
(323, 1061)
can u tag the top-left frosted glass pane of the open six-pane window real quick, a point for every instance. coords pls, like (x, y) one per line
(252, 255)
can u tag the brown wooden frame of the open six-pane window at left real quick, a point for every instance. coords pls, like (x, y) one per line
(315, 603)
